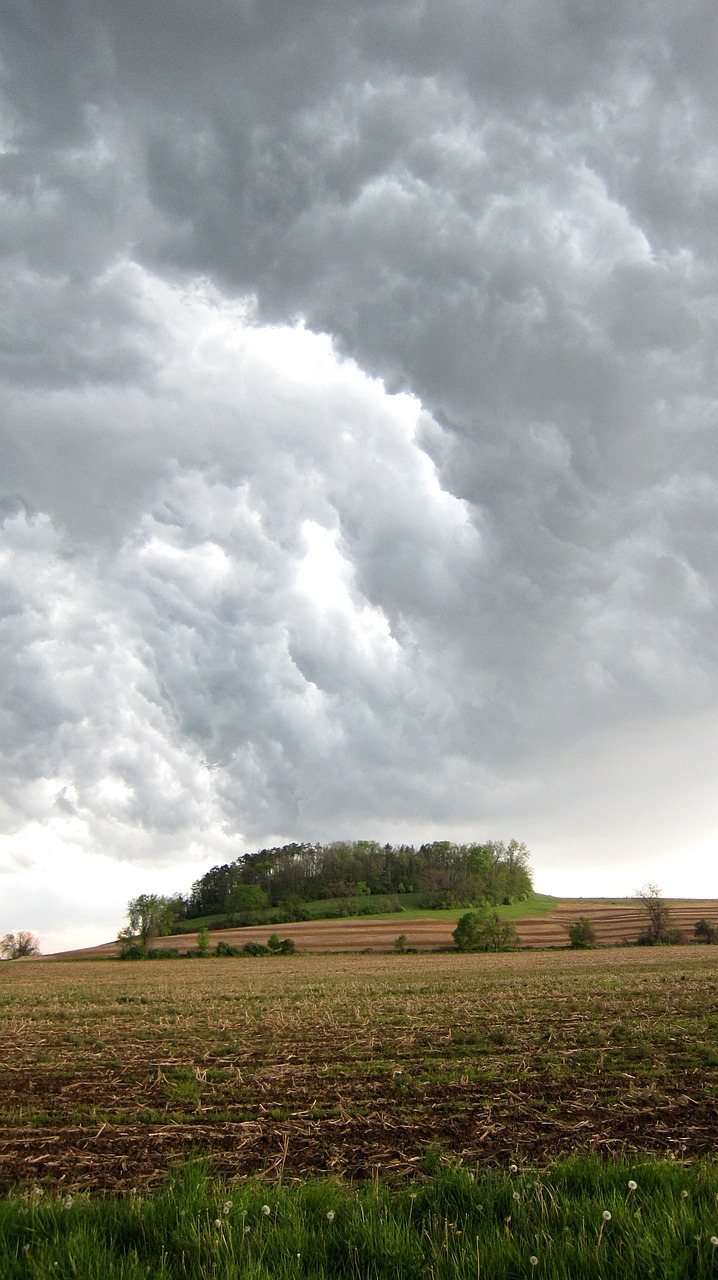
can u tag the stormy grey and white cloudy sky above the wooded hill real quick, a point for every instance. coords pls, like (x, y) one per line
(359, 408)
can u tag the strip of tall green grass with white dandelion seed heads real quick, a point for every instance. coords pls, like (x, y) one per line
(578, 1218)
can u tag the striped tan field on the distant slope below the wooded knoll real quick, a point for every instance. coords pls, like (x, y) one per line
(542, 924)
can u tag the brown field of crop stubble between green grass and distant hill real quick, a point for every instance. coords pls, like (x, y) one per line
(350, 1064)
